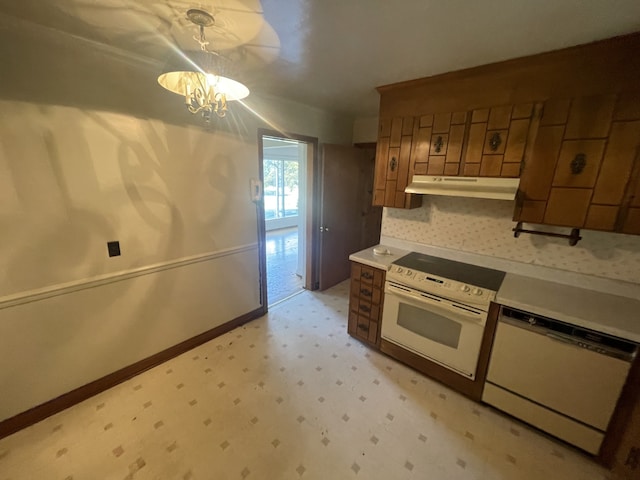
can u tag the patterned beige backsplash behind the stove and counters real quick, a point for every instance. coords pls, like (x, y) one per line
(485, 227)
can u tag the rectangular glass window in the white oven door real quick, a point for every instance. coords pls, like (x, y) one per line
(429, 325)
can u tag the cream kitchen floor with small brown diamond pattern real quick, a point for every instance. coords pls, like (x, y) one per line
(287, 396)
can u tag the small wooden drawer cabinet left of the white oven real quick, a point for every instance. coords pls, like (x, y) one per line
(365, 303)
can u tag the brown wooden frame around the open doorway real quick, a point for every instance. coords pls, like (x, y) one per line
(312, 227)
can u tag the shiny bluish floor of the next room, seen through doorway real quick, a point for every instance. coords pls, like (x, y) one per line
(282, 263)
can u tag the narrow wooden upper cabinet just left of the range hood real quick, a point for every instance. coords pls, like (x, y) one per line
(392, 172)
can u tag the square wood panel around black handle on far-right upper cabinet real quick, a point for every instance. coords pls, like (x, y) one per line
(591, 151)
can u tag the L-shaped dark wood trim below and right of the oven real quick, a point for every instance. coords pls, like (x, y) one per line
(470, 388)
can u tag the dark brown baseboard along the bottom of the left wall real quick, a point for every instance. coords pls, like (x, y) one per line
(69, 399)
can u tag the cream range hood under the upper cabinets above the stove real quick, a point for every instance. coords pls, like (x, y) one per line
(475, 187)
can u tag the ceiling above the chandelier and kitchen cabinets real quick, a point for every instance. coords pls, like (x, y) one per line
(329, 54)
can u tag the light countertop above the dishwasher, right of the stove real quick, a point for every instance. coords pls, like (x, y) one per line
(603, 312)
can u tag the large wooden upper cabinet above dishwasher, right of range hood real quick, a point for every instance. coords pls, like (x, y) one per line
(580, 170)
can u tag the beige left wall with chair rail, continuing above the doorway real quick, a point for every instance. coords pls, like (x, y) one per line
(177, 199)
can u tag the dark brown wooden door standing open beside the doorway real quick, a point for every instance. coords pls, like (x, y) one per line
(346, 188)
